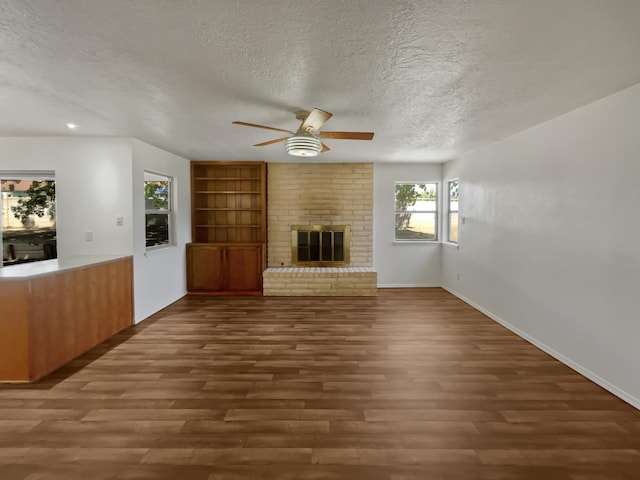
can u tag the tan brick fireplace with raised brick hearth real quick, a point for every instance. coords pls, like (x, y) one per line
(320, 194)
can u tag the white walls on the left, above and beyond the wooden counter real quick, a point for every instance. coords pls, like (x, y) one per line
(98, 179)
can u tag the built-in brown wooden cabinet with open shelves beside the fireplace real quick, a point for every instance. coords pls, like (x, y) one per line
(228, 253)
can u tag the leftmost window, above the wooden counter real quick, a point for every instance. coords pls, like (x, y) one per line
(28, 217)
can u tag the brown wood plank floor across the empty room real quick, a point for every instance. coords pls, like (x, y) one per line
(413, 384)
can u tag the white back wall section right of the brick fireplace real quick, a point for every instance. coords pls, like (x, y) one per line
(402, 264)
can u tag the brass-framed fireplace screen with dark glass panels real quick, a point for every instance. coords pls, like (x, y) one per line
(320, 245)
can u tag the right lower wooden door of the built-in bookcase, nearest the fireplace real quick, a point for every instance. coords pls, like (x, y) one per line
(244, 268)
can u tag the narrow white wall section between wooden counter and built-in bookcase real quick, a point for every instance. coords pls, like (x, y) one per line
(160, 274)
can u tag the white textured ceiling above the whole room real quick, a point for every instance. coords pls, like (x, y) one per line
(433, 79)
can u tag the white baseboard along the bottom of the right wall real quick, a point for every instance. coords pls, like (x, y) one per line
(618, 392)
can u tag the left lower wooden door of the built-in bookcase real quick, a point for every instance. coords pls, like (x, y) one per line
(205, 270)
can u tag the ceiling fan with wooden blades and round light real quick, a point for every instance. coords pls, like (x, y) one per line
(307, 140)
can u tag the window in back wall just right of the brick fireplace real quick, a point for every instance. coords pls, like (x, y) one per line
(416, 212)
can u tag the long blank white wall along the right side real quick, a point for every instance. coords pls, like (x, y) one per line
(551, 245)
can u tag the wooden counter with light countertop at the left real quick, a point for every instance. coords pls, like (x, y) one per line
(55, 310)
